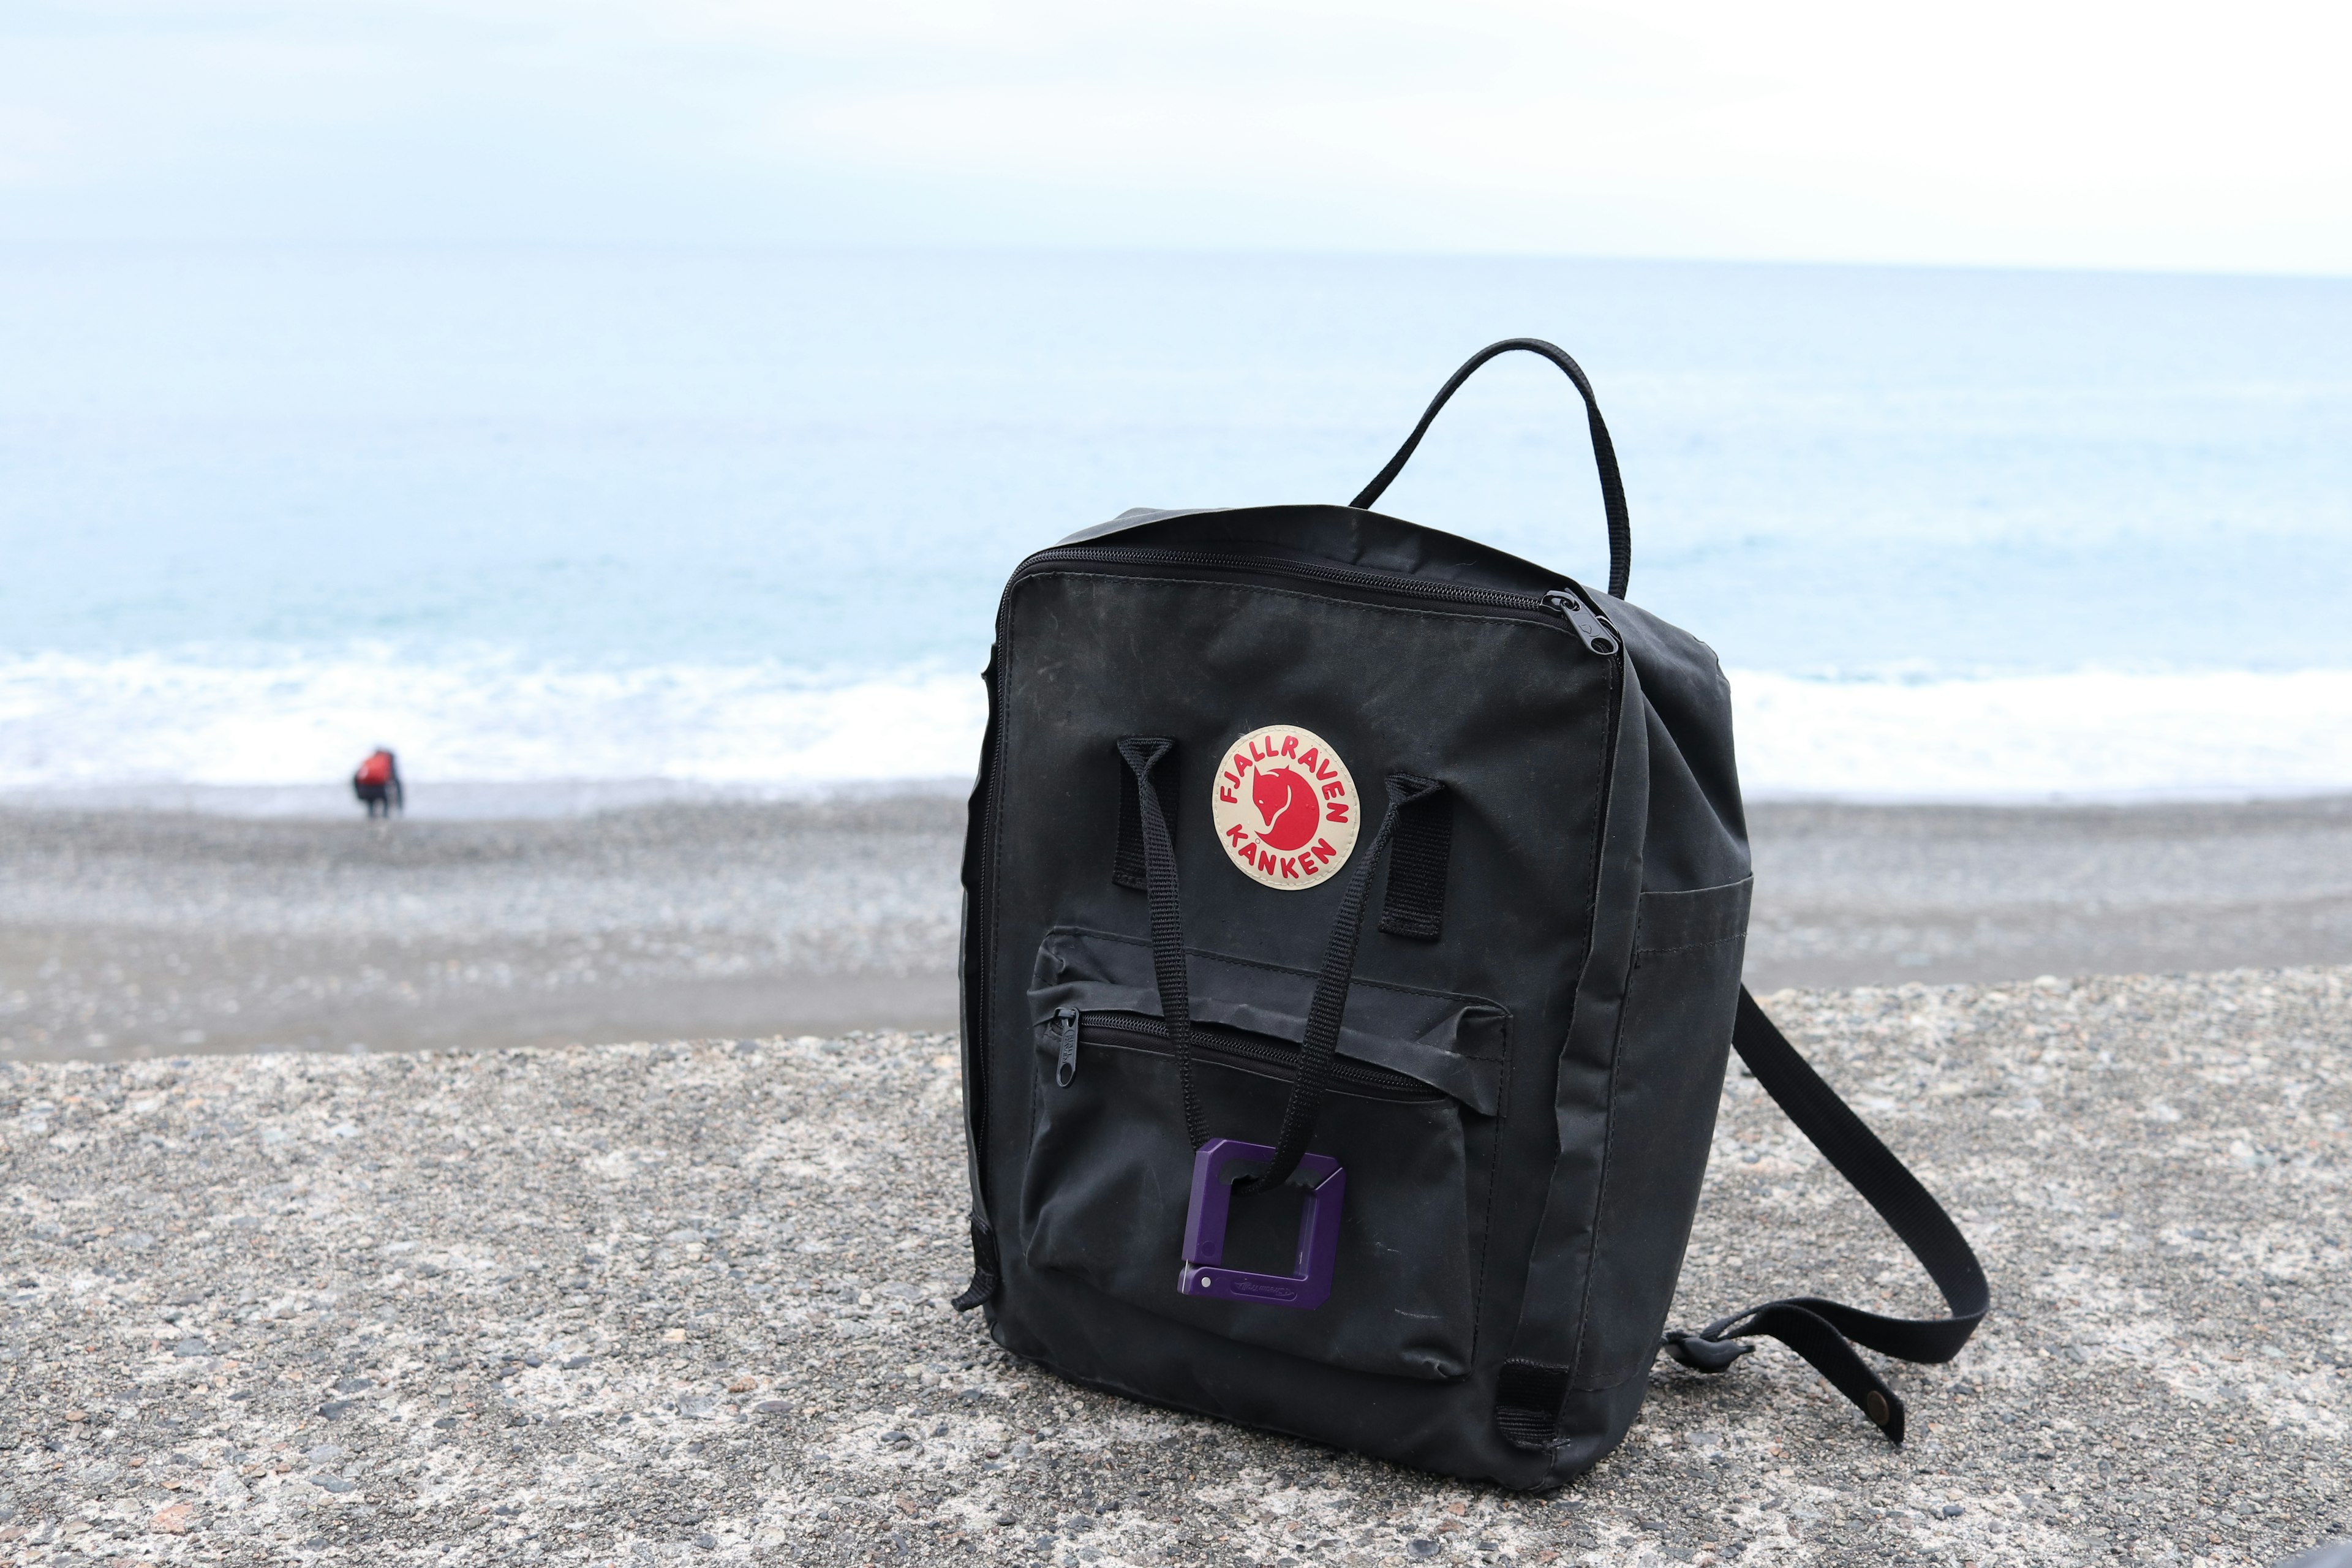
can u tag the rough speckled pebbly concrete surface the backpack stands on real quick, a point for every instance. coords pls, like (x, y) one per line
(686, 1304)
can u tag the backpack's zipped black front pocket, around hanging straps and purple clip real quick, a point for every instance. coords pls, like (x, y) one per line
(1109, 1177)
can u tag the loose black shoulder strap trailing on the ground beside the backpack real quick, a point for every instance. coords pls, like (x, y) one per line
(1819, 1329)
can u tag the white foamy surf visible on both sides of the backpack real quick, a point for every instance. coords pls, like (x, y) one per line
(281, 737)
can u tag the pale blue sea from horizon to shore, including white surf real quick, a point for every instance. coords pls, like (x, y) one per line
(587, 528)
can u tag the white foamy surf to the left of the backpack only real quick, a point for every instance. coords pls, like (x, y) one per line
(154, 721)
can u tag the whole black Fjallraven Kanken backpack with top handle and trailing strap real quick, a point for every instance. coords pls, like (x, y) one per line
(1354, 930)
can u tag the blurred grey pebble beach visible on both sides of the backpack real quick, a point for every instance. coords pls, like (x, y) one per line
(128, 934)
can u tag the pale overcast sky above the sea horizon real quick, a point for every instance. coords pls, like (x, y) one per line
(2005, 133)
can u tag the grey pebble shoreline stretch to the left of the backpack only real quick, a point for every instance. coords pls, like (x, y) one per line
(145, 934)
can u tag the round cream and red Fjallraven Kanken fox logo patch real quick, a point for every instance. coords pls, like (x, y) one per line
(1285, 808)
